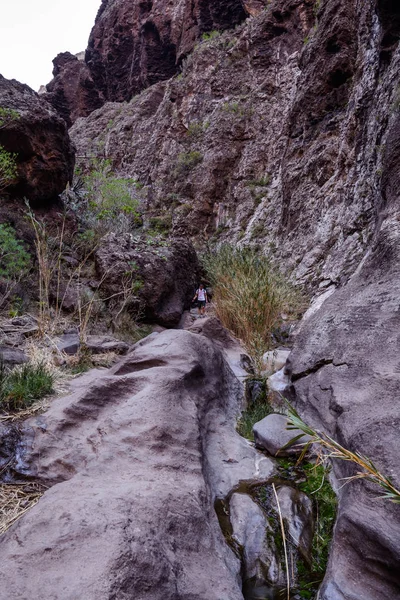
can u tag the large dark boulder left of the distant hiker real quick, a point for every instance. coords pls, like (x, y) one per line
(167, 272)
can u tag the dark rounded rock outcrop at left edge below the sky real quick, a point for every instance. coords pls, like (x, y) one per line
(39, 138)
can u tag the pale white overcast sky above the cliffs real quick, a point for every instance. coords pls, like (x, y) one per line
(33, 32)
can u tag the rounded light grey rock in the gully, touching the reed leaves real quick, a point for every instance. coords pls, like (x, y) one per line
(271, 433)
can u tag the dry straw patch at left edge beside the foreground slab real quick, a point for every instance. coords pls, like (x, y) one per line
(16, 500)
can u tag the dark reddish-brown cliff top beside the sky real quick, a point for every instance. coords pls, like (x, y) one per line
(135, 44)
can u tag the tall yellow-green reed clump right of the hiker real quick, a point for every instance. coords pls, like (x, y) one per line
(249, 296)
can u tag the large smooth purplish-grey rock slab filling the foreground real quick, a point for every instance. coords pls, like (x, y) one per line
(134, 462)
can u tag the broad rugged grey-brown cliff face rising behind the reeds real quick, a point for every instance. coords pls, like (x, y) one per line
(272, 135)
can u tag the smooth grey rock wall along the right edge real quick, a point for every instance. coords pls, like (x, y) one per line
(345, 367)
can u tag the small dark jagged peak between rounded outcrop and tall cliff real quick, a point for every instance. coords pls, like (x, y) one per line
(72, 92)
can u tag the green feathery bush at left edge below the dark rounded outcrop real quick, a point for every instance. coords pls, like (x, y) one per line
(14, 260)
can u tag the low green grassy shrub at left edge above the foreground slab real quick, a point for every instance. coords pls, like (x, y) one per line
(23, 386)
